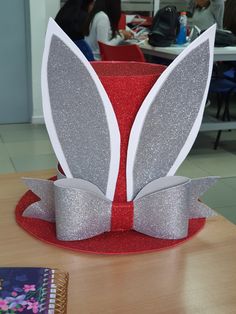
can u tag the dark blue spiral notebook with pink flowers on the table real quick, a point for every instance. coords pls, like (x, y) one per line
(33, 290)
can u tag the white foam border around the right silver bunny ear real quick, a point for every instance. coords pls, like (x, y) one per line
(142, 113)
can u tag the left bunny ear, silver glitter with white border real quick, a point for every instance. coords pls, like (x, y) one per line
(78, 114)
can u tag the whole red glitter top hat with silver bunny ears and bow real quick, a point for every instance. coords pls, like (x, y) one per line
(119, 193)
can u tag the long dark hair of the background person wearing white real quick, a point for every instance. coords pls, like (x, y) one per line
(113, 10)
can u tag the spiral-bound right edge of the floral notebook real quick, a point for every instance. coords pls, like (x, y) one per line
(54, 292)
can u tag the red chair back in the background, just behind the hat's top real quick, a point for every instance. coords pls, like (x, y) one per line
(121, 53)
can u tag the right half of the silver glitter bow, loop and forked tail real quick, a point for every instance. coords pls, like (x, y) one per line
(165, 213)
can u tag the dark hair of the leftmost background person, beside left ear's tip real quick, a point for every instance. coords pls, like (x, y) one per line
(72, 17)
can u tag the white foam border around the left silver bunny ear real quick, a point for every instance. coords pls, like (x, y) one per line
(54, 29)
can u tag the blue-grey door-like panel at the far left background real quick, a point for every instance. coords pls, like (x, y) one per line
(15, 75)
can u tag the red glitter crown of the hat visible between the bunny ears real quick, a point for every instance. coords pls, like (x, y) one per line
(127, 84)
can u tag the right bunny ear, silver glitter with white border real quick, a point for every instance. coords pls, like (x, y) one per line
(169, 119)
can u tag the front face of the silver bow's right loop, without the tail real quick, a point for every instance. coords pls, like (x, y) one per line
(163, 214)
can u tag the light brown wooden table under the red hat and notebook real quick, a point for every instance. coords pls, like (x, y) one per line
(198, 277)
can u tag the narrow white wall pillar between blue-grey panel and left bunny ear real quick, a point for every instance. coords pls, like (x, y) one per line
(40, 11)
